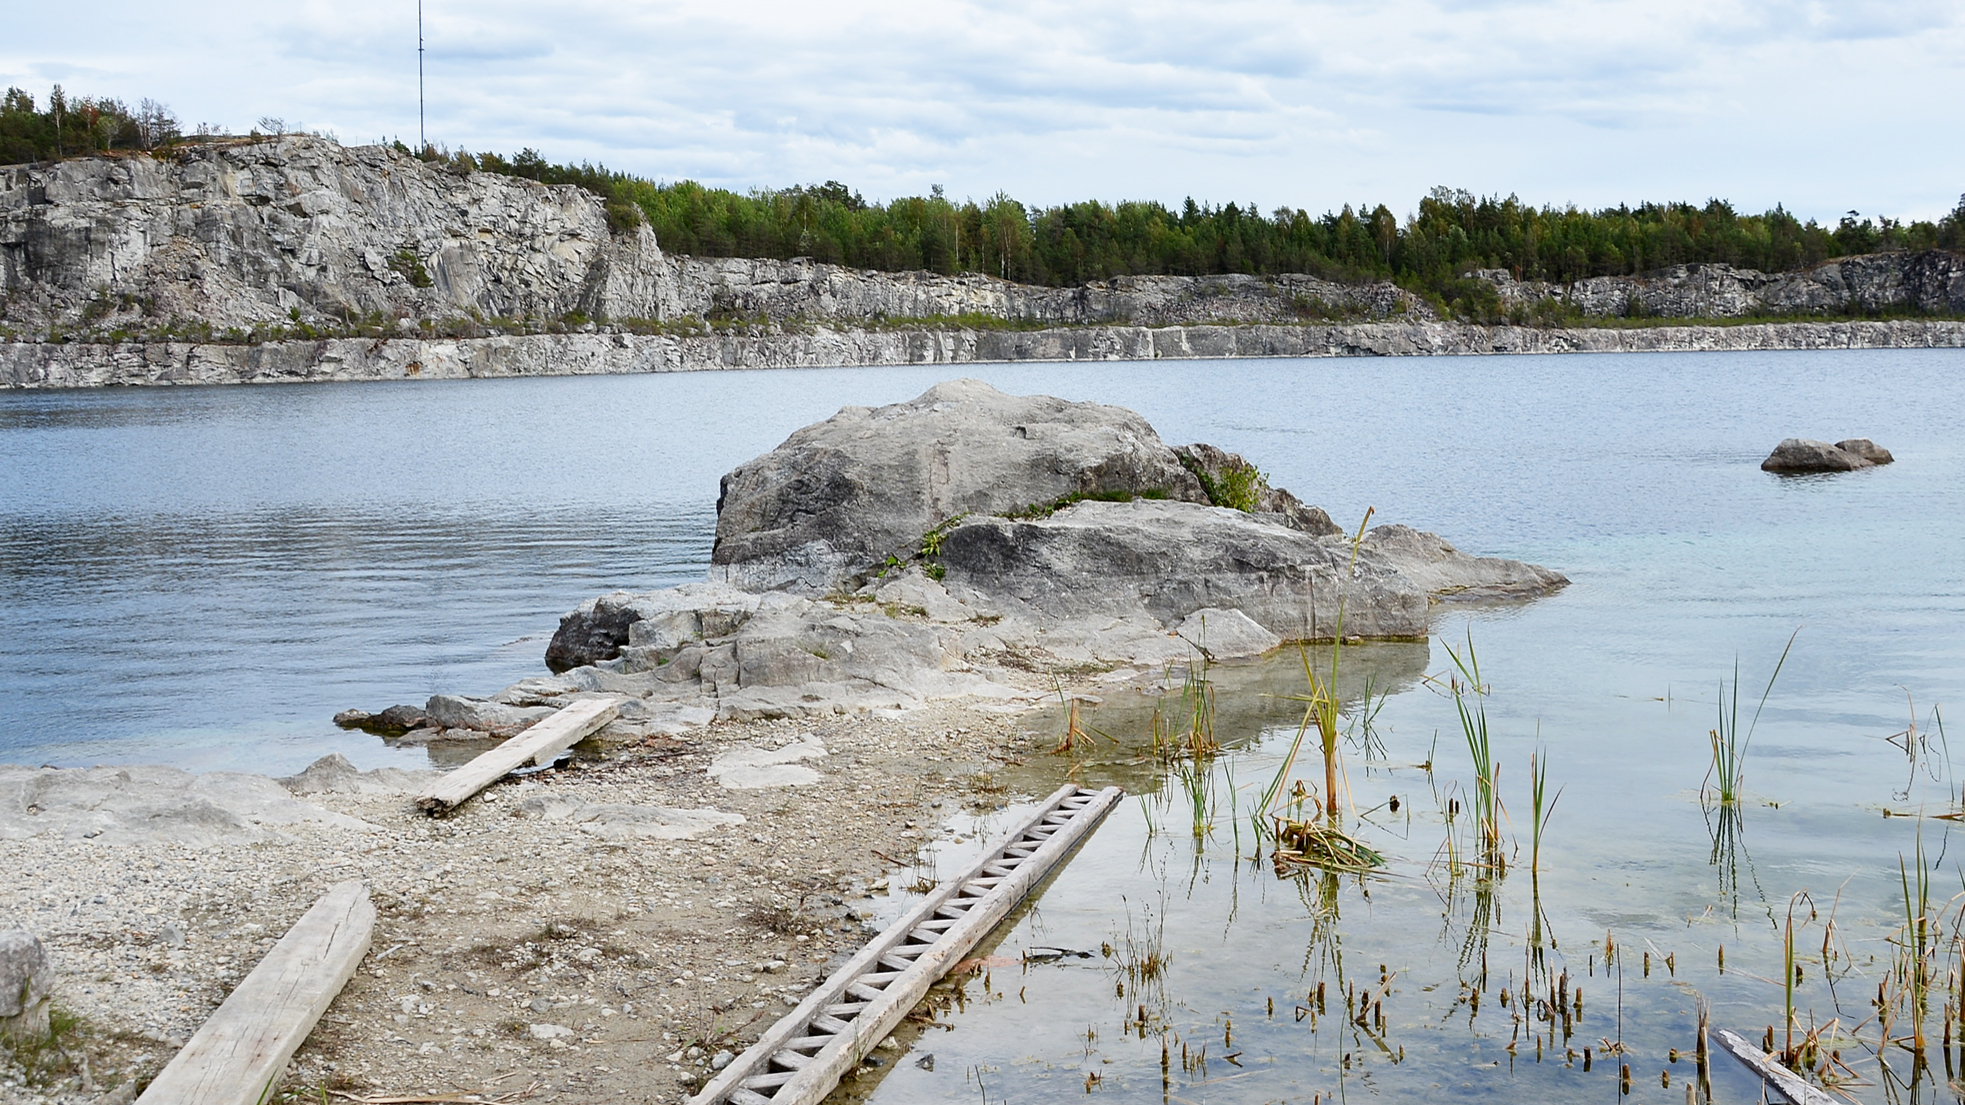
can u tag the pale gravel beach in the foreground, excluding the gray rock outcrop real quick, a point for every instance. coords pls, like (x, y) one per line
(551, 939)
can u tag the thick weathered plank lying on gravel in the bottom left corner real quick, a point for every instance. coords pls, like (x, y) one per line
(239, 1055)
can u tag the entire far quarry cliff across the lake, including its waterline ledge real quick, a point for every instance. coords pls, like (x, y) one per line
(298, 259)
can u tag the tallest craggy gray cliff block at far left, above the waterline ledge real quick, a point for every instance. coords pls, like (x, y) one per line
(304, 229)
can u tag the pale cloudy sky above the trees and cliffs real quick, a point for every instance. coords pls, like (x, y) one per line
(1825, 107)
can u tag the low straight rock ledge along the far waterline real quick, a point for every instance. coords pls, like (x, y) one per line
(87, 365)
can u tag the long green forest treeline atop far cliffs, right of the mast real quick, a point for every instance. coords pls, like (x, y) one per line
(1432, 251)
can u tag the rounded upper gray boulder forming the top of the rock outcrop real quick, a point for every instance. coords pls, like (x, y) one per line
(842, 496)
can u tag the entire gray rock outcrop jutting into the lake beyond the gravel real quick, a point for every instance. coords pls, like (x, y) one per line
(936, 548)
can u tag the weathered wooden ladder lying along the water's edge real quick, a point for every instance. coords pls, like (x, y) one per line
(805, 1055)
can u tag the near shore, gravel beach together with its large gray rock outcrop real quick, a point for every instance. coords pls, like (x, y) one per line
(897, 599)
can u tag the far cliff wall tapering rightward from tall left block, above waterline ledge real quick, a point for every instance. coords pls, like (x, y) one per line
(308, 231)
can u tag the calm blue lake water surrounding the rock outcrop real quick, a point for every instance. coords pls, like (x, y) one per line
(205, 577)
